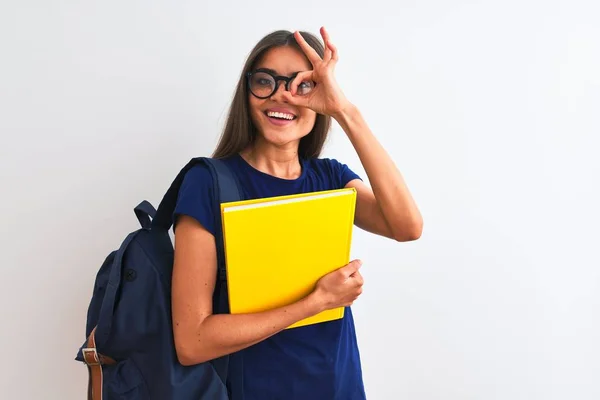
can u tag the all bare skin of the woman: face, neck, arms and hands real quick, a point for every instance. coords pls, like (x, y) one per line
(386, 209)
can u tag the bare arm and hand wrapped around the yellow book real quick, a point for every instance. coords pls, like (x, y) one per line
(201, 336)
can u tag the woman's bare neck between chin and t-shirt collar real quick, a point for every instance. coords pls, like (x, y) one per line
(279, 162)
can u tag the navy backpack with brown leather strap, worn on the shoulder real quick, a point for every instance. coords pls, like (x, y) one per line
(129, 348)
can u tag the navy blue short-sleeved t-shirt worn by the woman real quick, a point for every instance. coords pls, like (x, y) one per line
(314, 362)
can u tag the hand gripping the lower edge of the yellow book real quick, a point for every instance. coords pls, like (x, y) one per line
(341, 287)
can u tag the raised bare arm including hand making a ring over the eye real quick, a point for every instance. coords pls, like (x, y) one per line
(388, 209)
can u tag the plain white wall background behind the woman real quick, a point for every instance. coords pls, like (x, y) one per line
(490, 108)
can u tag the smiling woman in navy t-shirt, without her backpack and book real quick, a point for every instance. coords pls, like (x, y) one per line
(278, 122)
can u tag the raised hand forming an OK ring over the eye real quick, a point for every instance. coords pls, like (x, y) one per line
(327, 97)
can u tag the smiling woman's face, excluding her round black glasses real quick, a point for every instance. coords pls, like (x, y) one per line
(276, 121)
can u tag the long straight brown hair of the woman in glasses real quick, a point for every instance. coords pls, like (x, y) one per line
(239, 130)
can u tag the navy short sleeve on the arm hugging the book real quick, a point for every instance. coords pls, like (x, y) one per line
(196, 198)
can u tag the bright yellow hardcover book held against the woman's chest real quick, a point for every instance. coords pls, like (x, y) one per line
(277, 248)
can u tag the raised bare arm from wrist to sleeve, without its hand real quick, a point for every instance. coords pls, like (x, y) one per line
(388, 208)
